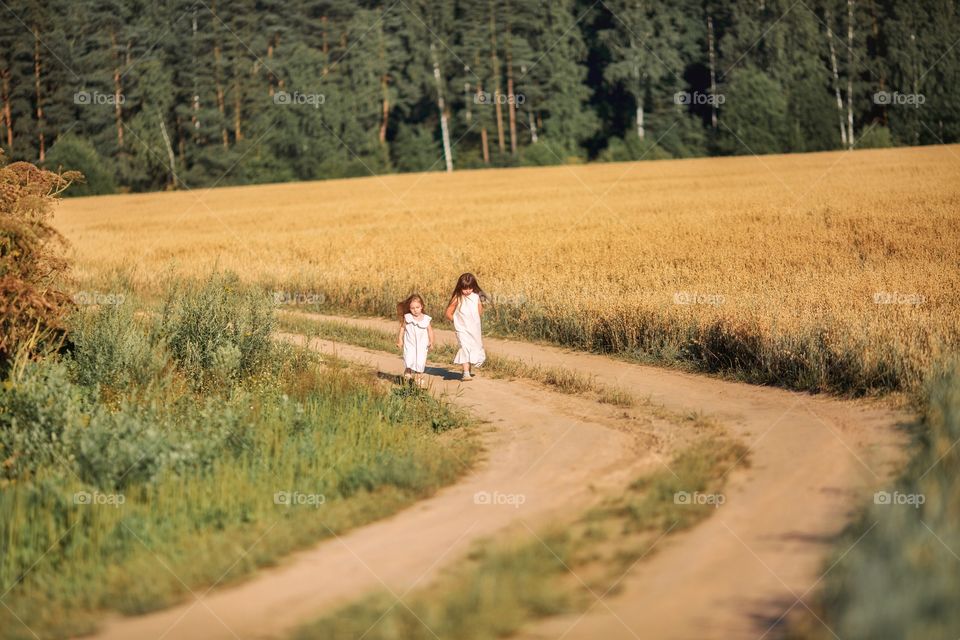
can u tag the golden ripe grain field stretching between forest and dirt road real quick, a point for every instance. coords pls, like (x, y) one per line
(829, 271)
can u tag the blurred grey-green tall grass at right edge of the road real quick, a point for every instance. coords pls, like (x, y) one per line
(896, 572)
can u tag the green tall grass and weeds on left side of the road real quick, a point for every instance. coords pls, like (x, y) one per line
(147, 463)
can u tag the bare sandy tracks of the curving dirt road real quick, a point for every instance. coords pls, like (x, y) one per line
(813, 460)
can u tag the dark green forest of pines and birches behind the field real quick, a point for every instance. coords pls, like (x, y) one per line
(171, 94)
